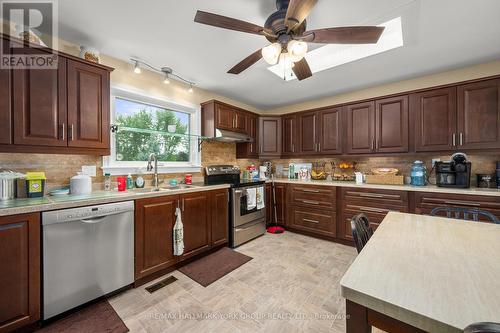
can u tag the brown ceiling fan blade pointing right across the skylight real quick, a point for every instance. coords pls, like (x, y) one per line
(344, 35)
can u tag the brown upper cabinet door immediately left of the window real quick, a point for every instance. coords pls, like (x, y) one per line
(88, 106)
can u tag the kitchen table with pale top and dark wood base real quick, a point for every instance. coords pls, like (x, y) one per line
(422, 273)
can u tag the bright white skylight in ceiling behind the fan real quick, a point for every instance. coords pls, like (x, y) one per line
(333, 55)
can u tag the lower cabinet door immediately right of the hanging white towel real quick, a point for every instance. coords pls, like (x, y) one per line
(196, 219)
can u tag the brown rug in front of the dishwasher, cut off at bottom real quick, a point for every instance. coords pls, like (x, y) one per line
(96, 318)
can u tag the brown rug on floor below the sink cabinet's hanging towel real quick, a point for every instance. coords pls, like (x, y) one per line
(209, 269)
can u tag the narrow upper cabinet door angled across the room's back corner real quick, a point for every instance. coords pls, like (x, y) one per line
(270, 136)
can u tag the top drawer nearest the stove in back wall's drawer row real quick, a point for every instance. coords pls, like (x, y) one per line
(315, 197)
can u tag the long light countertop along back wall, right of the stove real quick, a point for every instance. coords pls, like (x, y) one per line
(428, 188)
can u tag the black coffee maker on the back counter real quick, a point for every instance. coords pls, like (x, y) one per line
(455, 173)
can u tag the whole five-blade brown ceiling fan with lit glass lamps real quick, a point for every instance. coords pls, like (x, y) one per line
(286, 30)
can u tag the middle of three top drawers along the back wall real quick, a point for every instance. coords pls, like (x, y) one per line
(375, 198)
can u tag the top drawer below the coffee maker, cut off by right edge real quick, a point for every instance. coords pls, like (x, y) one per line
(431, 200)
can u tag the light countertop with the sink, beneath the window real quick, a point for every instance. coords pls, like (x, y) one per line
(32, 205)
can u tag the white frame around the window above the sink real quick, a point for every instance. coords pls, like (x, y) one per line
(114, 167)
